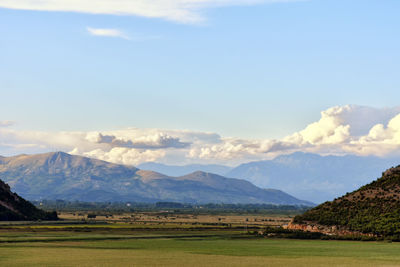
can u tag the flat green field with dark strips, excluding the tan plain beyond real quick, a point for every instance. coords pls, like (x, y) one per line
(91, 245)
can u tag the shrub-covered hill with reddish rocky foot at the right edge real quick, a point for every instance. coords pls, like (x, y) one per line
(374, 208)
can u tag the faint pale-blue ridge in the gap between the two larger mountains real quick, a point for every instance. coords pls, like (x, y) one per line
(176, 170)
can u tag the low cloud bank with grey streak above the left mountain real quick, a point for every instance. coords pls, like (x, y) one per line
(129, 146)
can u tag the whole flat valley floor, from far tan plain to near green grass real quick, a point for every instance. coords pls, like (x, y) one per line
(135, 238)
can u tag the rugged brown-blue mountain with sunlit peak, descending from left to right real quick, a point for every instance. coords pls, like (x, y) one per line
(63, 176)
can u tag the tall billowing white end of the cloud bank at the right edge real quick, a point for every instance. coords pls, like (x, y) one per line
(353, 129)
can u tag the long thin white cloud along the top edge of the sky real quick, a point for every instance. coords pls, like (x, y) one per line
(185, 11)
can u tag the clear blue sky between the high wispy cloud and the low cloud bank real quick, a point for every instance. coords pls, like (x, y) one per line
(253, 71)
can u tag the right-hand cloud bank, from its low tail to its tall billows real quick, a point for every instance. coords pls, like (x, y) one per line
(347, 129)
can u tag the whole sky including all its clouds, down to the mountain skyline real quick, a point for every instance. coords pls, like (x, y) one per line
(207, 81)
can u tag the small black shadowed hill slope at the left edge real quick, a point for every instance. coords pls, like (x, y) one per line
(15, 208)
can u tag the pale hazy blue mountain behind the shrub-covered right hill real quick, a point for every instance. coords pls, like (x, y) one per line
(311, 176)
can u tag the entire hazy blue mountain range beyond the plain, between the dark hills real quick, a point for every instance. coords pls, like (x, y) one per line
(303, 175)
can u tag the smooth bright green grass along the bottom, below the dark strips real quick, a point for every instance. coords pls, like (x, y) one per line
(195, 251)
